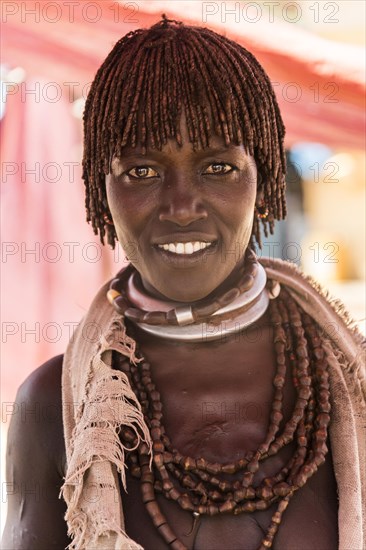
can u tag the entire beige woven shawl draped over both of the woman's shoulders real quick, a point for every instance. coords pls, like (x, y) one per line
(97, 400)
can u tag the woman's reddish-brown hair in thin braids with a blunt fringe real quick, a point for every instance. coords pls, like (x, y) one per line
(149, 78)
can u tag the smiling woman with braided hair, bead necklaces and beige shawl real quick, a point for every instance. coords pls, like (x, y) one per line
(183, 161)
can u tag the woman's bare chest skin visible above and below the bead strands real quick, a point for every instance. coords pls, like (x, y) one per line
(216, 405)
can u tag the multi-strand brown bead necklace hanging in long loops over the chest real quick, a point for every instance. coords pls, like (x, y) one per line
(203, 487)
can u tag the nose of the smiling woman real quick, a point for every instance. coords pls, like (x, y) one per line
(181, 202)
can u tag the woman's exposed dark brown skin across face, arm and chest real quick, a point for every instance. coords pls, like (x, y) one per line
(211, 411)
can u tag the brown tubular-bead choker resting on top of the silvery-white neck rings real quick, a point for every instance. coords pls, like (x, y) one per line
(118, 297)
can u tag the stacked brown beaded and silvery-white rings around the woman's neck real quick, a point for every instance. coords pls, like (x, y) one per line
(232, 310)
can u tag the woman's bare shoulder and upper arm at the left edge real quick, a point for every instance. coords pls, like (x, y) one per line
(34, 463)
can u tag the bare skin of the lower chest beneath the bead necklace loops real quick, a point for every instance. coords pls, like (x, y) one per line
(309, 522)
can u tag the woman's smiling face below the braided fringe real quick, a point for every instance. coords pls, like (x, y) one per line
(184, 217)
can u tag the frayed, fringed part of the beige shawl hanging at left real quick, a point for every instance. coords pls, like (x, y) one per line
(97, 455)
